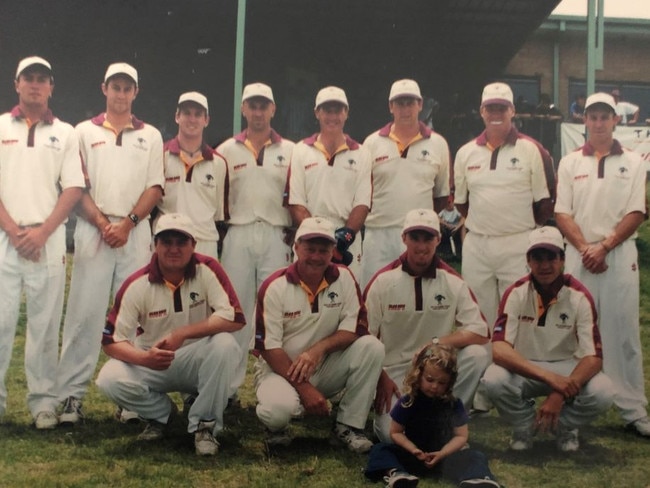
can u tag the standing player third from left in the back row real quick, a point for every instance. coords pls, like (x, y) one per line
(195, 175)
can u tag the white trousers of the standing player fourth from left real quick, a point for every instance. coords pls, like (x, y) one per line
(250, 254)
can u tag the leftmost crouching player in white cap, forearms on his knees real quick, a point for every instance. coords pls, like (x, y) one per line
(169, 330)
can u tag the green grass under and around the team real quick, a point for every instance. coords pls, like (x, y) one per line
(104, 453)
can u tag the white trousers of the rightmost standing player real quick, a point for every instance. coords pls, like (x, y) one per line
(616, 293)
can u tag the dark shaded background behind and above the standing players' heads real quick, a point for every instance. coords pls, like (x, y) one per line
(297, 46)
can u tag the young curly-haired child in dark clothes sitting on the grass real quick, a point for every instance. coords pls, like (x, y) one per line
(429, 430)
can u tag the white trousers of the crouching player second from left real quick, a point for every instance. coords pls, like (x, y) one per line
(354, 370)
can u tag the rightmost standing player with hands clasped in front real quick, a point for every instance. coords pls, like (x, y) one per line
(601, 204)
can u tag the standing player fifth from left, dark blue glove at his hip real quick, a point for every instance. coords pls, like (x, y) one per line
(330, 177)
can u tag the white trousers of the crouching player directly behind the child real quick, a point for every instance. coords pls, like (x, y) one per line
(472, 362)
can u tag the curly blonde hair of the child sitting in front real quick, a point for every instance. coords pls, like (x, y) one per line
(438, 355)
